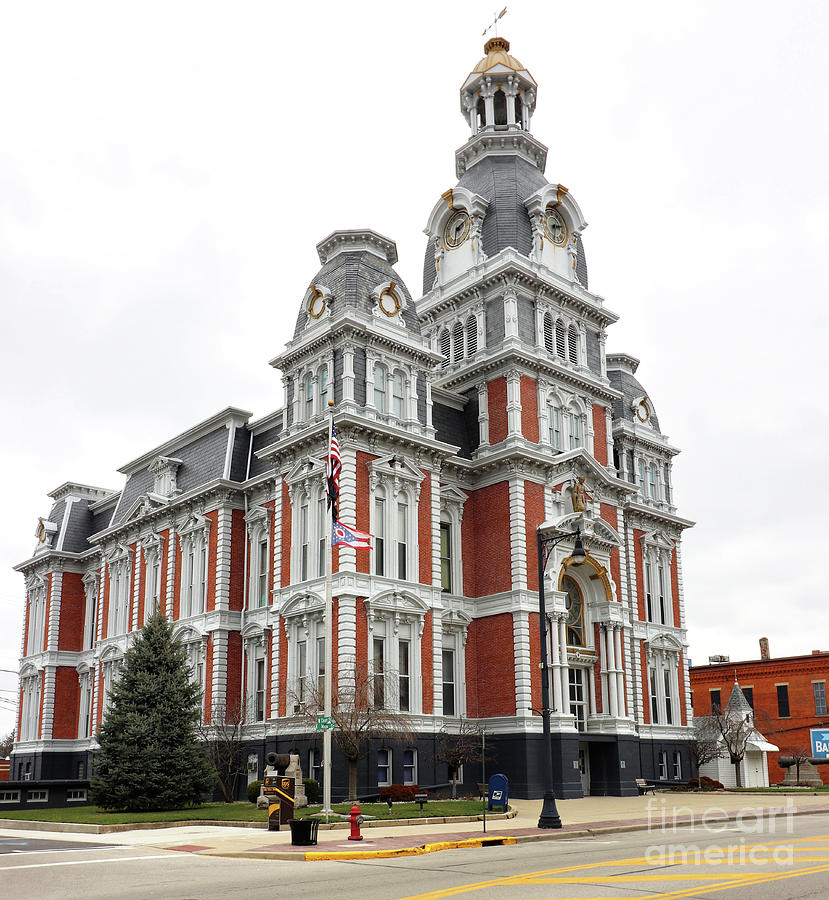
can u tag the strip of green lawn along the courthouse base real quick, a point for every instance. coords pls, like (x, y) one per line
(238, 812)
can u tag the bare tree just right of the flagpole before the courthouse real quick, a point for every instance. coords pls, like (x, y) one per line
(363, 708)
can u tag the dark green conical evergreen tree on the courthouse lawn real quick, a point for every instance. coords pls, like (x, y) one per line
(150, 756)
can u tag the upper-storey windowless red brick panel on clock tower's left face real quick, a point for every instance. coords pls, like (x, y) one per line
(486, 514)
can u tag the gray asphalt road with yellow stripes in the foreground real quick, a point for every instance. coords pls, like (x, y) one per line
(730, 863)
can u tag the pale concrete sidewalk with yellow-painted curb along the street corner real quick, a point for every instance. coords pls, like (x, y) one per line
(586, 816)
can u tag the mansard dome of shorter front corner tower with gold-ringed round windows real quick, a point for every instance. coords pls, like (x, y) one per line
(357, 274)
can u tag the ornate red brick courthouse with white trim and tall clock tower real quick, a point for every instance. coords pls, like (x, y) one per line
(465, 417)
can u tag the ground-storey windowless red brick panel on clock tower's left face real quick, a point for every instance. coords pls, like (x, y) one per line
(494, 665)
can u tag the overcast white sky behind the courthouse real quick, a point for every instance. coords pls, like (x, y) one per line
(166, 170)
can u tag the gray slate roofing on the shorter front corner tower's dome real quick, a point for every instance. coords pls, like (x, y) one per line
(351, 277)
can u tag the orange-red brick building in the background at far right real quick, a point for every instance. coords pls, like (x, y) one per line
(787, 694)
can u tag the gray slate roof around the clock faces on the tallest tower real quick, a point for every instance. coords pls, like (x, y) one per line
(506, 182)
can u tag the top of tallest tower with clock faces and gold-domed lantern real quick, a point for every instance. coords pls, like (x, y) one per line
(502, 198)
